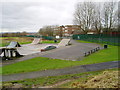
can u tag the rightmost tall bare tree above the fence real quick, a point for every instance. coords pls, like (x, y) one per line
(110, 11)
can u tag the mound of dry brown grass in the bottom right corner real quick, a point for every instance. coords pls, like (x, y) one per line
(108, 79)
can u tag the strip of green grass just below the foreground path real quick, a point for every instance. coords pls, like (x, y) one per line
(45, 81)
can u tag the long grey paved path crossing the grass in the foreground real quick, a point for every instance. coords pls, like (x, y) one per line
(70, 70)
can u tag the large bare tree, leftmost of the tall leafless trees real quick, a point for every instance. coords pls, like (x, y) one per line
(84, 15)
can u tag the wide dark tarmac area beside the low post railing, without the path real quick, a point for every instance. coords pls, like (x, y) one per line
(72, 52)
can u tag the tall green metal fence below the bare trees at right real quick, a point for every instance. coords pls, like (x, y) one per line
(99, 38)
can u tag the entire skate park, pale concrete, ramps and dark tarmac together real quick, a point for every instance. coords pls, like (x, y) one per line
(75, 51)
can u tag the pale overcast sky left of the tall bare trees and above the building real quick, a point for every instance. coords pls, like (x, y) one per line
(31, 15)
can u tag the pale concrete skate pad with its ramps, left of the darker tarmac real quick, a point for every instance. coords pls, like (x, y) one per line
(32, 48)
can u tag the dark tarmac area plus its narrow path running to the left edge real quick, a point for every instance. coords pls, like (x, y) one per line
(72, 52)
